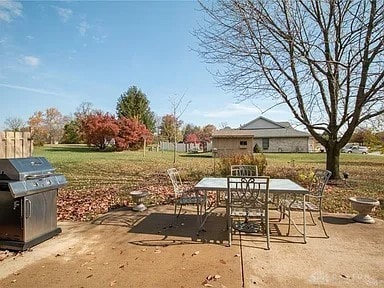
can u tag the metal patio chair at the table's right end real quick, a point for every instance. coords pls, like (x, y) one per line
(313, 200)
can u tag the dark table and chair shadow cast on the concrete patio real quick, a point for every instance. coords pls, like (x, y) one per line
(162, 228)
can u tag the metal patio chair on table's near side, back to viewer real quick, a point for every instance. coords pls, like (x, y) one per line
(248, 204)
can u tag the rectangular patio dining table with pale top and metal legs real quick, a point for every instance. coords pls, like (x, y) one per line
(276, 186)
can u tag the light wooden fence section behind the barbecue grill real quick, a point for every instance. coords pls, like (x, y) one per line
(15, 144)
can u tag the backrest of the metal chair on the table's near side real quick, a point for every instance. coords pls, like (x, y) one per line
(249, 192)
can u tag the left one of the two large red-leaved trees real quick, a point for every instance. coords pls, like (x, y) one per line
(100, 129)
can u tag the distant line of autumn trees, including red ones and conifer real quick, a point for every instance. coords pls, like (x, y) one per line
(133, 124)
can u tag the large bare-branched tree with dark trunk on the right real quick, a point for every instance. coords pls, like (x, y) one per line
(323, 58)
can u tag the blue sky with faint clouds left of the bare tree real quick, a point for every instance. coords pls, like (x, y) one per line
(60, 54)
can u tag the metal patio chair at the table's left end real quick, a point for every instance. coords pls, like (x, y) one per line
(185, 196)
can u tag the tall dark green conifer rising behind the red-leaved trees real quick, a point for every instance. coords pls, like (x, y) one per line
(134, 104)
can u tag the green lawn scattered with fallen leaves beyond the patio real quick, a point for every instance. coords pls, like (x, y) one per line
(106, 177)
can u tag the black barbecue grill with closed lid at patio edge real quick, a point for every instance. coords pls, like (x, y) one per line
(28, 202)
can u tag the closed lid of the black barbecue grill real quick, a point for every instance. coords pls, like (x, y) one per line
(24, 168)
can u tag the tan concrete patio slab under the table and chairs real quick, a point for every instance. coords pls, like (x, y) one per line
(154, 249)
